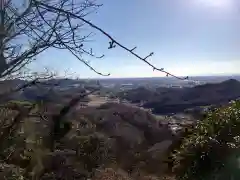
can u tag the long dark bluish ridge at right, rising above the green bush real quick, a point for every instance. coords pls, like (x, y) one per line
(167, 100)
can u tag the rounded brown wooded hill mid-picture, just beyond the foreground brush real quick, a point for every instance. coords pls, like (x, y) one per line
(129, 123)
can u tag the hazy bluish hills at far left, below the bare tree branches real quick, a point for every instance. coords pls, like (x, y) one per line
(49, 90)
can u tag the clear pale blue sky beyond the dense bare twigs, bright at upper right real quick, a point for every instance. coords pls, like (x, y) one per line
(188, 38)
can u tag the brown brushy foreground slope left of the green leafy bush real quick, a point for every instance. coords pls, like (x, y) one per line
(97, 139)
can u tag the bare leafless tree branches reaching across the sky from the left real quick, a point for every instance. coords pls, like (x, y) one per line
(33, 27)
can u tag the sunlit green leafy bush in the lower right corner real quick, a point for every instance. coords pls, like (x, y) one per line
(211, 146)
